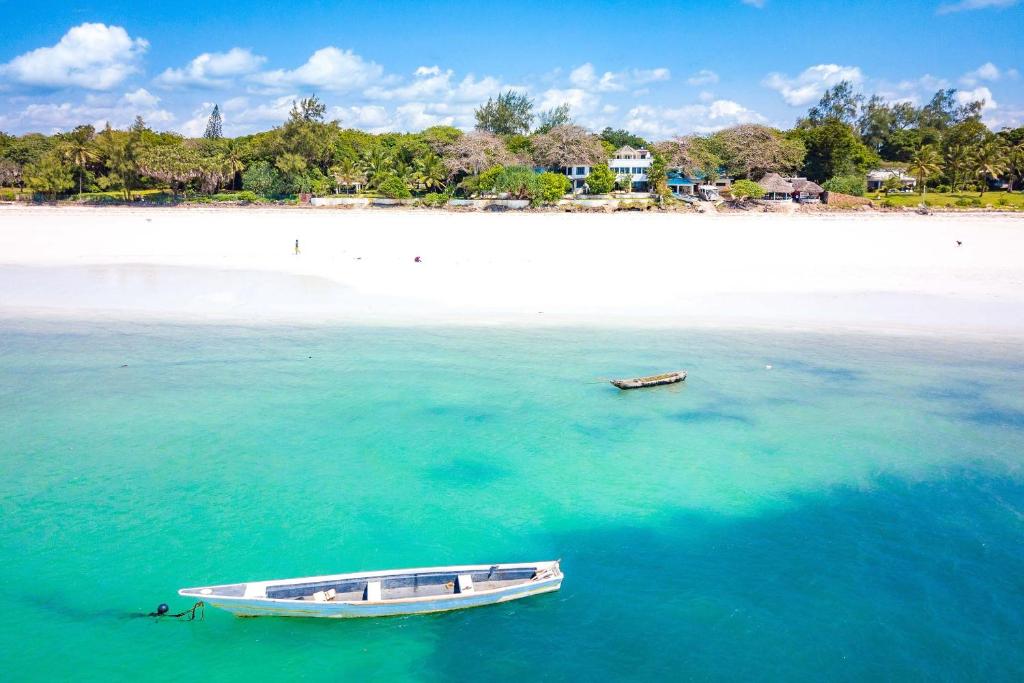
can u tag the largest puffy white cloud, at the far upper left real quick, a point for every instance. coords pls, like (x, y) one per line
(95, 57)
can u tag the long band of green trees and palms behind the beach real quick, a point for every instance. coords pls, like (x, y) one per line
(944, 144)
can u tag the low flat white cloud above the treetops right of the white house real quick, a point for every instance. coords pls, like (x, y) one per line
(657, 122)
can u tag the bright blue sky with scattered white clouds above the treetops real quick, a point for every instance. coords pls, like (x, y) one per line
(657, 68)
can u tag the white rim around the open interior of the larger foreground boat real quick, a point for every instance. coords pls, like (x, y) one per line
(214, 599)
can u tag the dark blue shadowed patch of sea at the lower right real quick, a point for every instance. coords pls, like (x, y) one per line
(905, 581)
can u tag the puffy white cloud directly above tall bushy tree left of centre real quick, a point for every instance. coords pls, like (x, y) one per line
(328, 69)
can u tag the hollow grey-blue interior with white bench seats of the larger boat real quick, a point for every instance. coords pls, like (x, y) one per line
(396, 587)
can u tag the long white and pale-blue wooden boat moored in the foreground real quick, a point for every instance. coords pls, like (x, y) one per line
(383, 593)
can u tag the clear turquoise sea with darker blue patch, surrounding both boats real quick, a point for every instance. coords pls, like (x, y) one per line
(856, 513)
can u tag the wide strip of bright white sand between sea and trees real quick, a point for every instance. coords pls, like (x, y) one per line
(891, 273)
